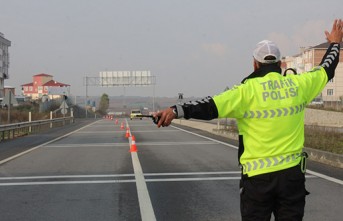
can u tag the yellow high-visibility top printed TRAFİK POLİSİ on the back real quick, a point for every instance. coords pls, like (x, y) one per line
(270, 117)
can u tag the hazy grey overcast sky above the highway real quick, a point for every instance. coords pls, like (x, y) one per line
(197, 47)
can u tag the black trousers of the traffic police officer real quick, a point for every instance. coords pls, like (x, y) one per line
(281, 193)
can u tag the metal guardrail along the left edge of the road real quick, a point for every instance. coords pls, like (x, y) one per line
(11, 131)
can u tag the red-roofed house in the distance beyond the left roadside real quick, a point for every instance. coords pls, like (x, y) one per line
(43, 84)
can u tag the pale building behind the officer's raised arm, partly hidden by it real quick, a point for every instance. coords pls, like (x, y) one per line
(311, 57)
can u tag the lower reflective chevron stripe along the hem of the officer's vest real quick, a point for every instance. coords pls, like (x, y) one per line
(269, 162)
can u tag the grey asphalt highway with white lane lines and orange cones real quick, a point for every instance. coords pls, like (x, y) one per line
(177, 174)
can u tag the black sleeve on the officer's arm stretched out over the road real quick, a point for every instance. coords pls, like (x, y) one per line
(204, 109)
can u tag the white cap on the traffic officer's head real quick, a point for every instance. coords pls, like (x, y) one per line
(264, 49)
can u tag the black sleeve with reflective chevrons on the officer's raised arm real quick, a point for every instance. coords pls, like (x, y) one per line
(331, 59)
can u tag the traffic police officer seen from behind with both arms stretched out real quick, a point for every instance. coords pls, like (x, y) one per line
(269, 109)
